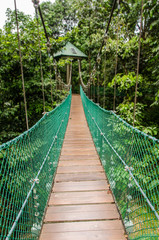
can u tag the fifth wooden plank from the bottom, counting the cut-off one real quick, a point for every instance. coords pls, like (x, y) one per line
(67, 177)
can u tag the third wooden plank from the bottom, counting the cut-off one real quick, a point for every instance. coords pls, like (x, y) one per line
(80, 198)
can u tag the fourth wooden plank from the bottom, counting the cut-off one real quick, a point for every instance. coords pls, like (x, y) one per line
(80, 186)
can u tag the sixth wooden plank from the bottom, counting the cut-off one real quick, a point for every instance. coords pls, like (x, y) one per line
(80, 169)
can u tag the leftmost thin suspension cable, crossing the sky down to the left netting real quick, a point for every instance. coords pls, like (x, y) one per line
(21, 66)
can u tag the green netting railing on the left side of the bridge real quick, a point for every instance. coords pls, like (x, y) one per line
(28, 165)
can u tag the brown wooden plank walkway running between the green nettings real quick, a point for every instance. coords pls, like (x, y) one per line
(81, 206)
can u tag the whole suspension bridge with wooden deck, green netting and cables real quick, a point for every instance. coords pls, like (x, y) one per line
(80, 172)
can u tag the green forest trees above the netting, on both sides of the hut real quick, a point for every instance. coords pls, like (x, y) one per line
(83, 23)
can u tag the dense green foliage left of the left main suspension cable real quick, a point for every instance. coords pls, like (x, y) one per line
(11, 96)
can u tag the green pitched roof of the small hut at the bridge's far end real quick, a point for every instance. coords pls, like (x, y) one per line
(70, 51)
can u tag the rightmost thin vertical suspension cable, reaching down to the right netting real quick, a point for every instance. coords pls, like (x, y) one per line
(138, 64)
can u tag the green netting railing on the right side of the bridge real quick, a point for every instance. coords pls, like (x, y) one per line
(131, 162)
